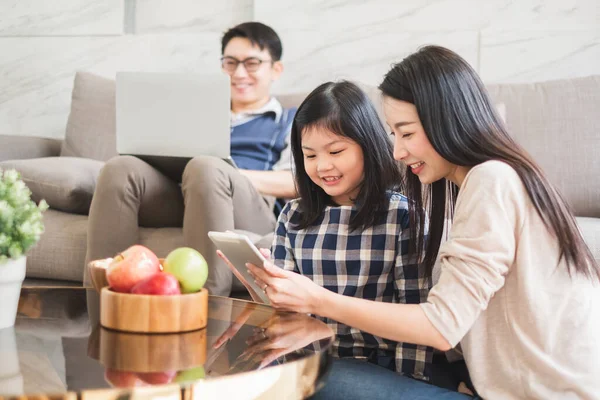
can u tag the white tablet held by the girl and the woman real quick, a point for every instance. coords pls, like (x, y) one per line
(240, 250)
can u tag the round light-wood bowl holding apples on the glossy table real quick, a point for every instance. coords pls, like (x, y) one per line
(153, 313)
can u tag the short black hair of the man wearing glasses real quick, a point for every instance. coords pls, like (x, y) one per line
(258, 34)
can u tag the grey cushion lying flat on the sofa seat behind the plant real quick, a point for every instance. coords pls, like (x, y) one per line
(66, 183)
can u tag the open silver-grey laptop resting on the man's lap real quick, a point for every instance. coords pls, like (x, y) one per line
(167, 118)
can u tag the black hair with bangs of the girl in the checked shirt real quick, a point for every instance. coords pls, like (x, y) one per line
(345, 110)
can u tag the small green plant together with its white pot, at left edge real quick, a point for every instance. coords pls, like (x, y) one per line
(20, 228)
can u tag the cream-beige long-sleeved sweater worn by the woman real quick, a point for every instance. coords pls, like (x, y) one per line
(527, 329)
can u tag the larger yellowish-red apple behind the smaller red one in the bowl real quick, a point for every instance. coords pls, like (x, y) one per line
(130, 267)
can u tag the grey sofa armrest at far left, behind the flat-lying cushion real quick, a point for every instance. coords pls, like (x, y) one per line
(14, 147)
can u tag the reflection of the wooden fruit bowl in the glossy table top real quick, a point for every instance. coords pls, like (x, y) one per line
(138, 352)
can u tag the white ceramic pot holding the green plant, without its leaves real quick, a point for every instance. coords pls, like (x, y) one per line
(12, 274)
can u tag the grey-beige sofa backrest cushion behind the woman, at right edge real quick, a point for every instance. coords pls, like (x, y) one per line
(557, 123)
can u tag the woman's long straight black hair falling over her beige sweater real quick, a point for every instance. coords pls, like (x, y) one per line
(464, 128)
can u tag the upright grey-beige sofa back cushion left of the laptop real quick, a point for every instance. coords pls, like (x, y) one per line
(91, 127)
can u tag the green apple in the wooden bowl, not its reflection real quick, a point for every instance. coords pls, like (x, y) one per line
(189, 267)
